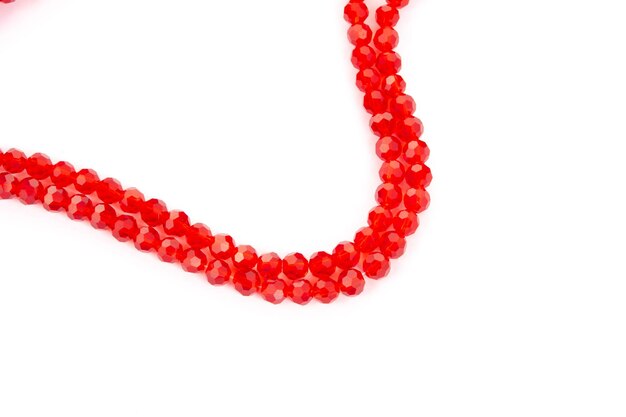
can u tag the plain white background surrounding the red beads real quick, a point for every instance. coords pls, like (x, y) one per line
(510, 301)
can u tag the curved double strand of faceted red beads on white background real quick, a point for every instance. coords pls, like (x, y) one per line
(82, 195)
